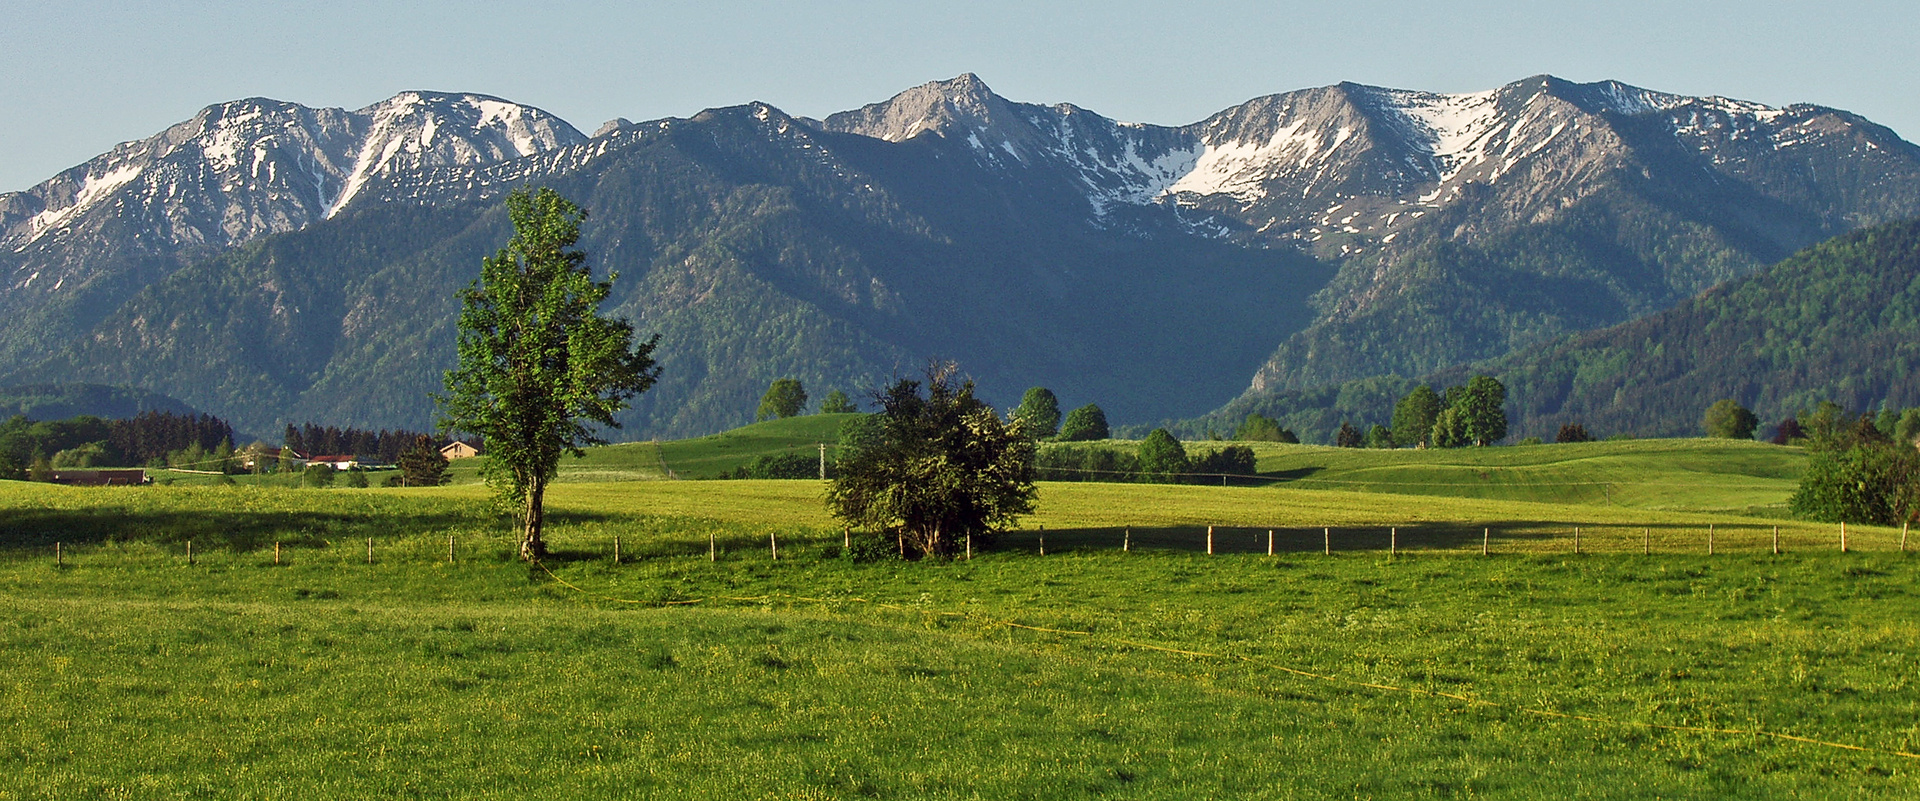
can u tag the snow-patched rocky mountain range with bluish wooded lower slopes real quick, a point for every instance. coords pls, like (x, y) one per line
(272, 262)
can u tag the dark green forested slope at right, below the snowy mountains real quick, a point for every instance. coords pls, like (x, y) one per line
(1838, 322)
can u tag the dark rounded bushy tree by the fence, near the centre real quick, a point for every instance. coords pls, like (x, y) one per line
(934, 466)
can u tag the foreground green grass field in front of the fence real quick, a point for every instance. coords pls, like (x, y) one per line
(1157, 675)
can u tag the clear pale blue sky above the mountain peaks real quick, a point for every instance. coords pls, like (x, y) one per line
(84, 76)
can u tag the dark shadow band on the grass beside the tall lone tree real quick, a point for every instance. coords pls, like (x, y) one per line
(243, 531)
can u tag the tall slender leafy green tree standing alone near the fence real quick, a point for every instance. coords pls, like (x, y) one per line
(539, 364)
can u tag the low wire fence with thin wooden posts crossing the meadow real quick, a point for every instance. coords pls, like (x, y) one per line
(1239, 541)
